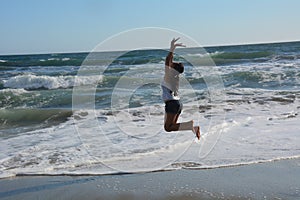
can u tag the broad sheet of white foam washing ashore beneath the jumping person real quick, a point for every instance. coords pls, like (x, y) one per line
(250, 133)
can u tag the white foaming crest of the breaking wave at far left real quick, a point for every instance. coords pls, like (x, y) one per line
(30, 81)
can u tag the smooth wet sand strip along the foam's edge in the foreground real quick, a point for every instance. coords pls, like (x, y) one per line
(271, 180)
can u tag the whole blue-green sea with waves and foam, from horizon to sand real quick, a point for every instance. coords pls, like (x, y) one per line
(62, 113)
